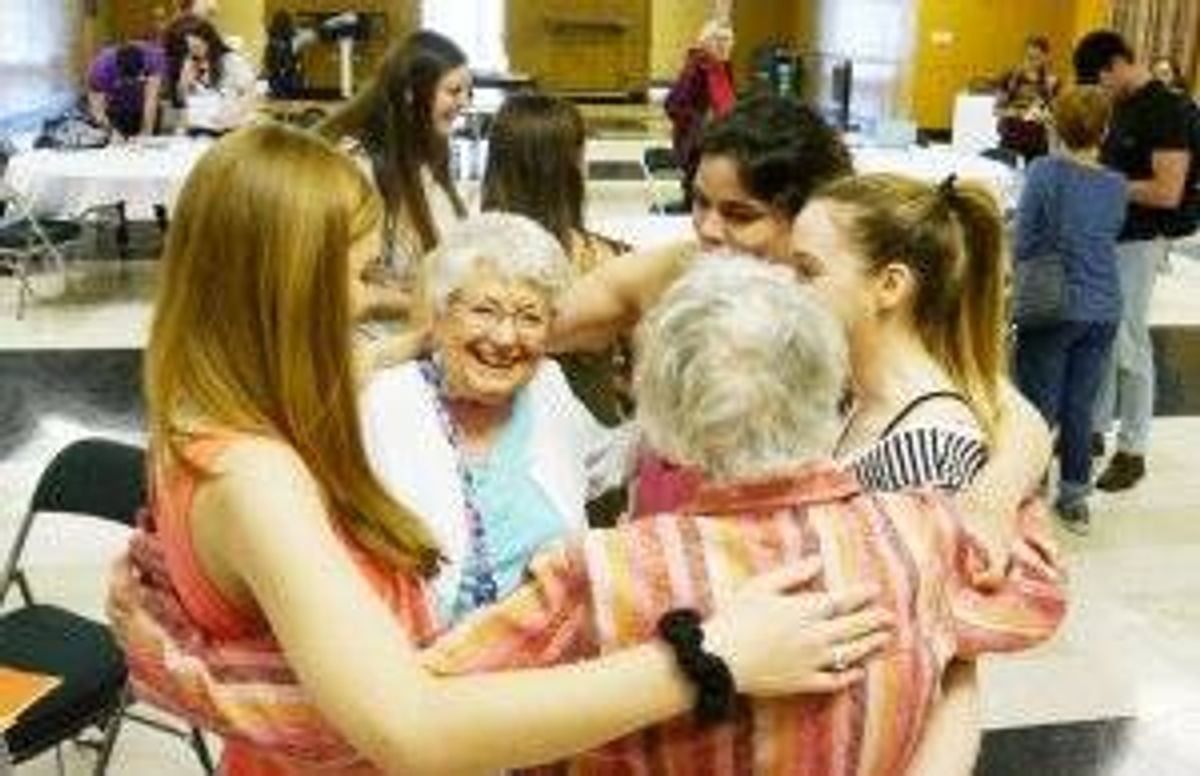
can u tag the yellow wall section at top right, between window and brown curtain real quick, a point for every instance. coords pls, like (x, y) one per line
(962, 40)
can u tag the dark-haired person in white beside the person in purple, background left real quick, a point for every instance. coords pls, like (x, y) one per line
(215, 86)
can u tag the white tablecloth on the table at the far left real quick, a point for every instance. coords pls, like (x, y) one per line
(142, 175)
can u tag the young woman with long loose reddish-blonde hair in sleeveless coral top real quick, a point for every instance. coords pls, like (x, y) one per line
(274, 532)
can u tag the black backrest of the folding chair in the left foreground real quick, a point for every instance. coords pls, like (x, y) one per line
(99, 478)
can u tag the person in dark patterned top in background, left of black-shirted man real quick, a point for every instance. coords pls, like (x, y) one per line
(1024, 103)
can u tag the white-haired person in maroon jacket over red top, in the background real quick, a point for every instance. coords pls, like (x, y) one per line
(704, 92)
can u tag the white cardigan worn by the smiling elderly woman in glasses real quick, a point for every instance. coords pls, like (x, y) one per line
(574, 458)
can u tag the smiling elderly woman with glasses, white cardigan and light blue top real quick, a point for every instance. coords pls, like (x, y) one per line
(485, 438)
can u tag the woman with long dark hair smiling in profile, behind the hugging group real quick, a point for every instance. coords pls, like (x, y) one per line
(401, 123)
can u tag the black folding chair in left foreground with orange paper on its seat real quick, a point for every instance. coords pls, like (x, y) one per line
(105, 480)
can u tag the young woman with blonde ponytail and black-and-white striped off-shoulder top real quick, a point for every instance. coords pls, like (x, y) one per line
(916, 273)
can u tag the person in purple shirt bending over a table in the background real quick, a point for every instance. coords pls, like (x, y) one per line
(123, 88)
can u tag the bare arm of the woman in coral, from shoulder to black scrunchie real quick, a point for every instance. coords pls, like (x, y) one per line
(383, 701)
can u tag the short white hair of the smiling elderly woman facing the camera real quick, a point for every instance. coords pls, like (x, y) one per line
(512, 246)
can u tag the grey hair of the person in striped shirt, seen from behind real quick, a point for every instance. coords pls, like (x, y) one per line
(740, 371)
